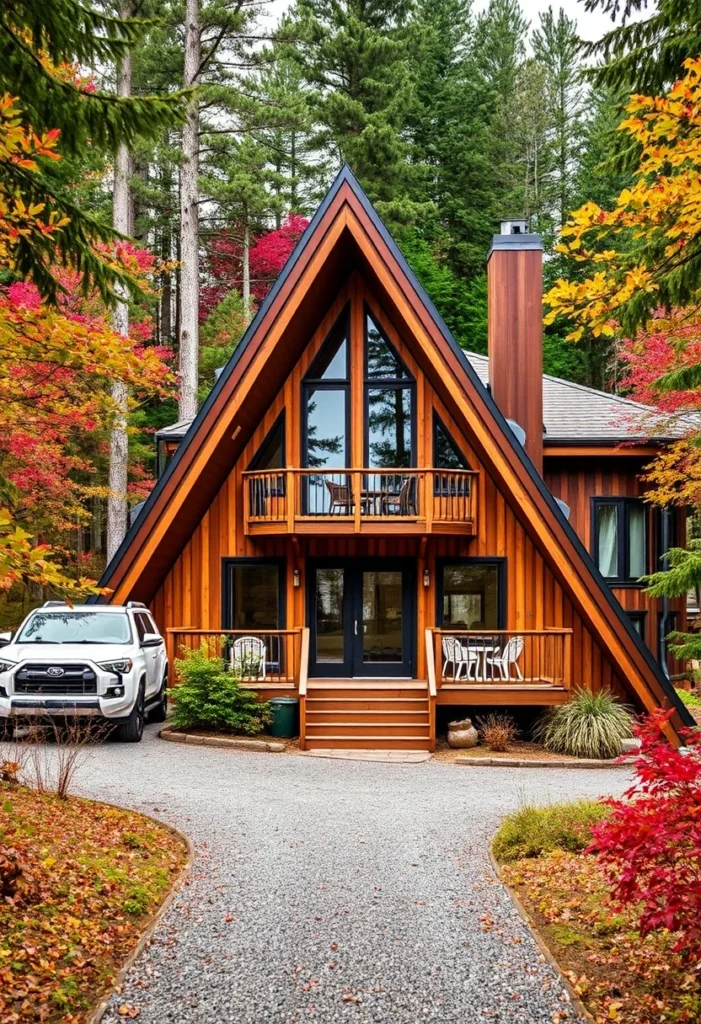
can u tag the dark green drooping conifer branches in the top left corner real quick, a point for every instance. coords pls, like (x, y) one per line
(38, 41)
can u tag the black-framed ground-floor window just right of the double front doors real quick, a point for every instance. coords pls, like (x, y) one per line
(471, 593)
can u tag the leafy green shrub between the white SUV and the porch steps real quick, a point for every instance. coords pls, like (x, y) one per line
(209, 696)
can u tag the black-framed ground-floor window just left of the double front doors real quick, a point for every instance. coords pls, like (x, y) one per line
(253, 594)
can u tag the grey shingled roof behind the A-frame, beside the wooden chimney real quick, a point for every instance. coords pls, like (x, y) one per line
(573, 414)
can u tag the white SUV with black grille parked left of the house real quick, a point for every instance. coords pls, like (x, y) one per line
(104, 662)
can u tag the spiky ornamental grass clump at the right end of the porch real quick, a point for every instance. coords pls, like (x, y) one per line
(590, 726)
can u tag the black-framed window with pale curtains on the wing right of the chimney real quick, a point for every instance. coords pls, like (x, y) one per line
(621, 539)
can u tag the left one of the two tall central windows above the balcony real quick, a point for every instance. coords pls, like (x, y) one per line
(326, 402)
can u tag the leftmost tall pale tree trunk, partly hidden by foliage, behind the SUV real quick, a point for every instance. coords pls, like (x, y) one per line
(118, 514)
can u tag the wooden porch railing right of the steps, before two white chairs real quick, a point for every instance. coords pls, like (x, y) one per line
(495, 658)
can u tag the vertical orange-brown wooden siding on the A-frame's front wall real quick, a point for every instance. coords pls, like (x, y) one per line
(192, 593)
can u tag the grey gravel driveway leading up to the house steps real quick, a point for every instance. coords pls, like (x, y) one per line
(335, 891)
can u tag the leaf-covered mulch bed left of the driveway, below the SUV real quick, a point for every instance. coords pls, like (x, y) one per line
(93, 878)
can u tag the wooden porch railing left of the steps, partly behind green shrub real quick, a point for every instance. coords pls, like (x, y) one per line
(264, 658)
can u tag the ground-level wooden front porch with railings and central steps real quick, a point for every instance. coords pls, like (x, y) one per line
(464, 668)
